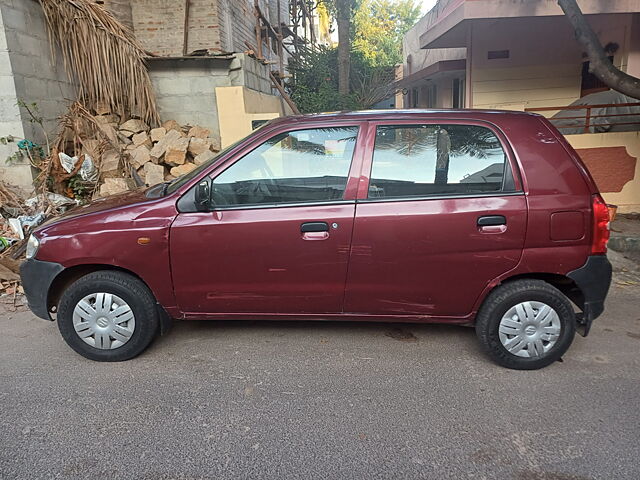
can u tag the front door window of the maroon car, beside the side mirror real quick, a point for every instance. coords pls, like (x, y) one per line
(310, 165)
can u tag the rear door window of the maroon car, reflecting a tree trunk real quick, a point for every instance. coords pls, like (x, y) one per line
(426, 160)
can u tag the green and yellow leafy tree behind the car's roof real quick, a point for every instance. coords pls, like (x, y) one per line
(353, 76)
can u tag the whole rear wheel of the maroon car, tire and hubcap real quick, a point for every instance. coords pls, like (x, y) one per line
(526, 324)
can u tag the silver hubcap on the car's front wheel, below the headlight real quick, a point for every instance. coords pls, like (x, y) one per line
(104, 321)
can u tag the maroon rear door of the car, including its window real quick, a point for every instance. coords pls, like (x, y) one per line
(439, 216)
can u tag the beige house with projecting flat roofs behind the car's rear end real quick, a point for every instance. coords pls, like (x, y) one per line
(503, 54)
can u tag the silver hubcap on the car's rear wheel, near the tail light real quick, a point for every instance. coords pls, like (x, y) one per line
(529, 329)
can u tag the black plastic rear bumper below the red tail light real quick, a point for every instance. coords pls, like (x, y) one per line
(593, 279)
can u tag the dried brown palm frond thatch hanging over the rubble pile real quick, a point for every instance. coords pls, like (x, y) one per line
(103, 56)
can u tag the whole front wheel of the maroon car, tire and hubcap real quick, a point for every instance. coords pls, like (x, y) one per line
(108, 316)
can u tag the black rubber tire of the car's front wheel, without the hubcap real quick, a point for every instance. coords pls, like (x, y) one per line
(130, 289)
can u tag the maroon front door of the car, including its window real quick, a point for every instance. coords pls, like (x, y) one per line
(276, 239)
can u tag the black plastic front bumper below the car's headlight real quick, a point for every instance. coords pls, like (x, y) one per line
(37, 277)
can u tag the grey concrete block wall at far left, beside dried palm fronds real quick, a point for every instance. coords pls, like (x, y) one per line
(27, 72)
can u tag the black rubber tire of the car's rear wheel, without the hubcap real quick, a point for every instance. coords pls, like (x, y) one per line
(504, 297)
